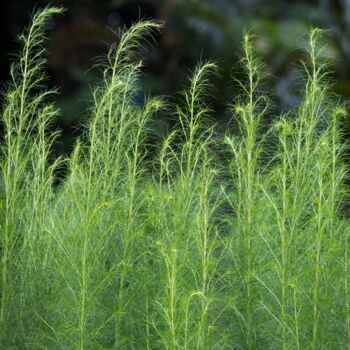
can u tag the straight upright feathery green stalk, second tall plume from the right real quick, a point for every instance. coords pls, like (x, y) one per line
(245, 197)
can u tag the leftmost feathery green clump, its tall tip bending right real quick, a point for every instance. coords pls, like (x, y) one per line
(27, 180)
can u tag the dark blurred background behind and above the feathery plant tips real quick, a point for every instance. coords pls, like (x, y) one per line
(194, 29)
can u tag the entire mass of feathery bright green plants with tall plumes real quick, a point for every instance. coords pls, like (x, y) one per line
(216, 242)
